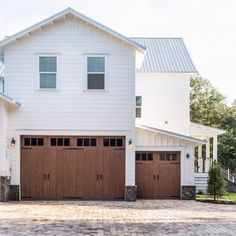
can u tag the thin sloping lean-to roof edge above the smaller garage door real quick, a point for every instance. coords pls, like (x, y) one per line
(172, 134)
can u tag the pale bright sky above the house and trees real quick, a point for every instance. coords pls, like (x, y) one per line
(207, 26)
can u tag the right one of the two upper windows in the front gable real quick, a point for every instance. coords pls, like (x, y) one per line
(96, 73)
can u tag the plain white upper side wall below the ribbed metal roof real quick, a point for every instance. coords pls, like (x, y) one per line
(165, 97)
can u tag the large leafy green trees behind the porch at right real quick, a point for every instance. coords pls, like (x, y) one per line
(208, 107)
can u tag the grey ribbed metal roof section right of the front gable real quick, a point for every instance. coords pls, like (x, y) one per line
(165, 55)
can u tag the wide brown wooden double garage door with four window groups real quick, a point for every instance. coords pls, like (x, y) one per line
(72, 168)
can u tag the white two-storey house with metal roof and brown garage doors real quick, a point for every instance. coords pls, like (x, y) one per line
(67, 114)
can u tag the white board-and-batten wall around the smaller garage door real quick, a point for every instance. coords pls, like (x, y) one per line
(152, 141)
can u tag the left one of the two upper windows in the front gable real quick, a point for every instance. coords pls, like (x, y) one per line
(47, 72)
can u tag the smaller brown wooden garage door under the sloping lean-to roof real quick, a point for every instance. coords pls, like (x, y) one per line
(158, 174)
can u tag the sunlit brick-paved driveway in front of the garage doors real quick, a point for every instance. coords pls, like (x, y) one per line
(144, 217)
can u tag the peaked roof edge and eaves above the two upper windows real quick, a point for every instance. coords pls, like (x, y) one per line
(63, 13)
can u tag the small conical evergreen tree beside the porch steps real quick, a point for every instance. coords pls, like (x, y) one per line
(216, 187)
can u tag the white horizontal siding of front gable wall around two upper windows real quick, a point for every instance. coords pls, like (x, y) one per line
(71, 106)
